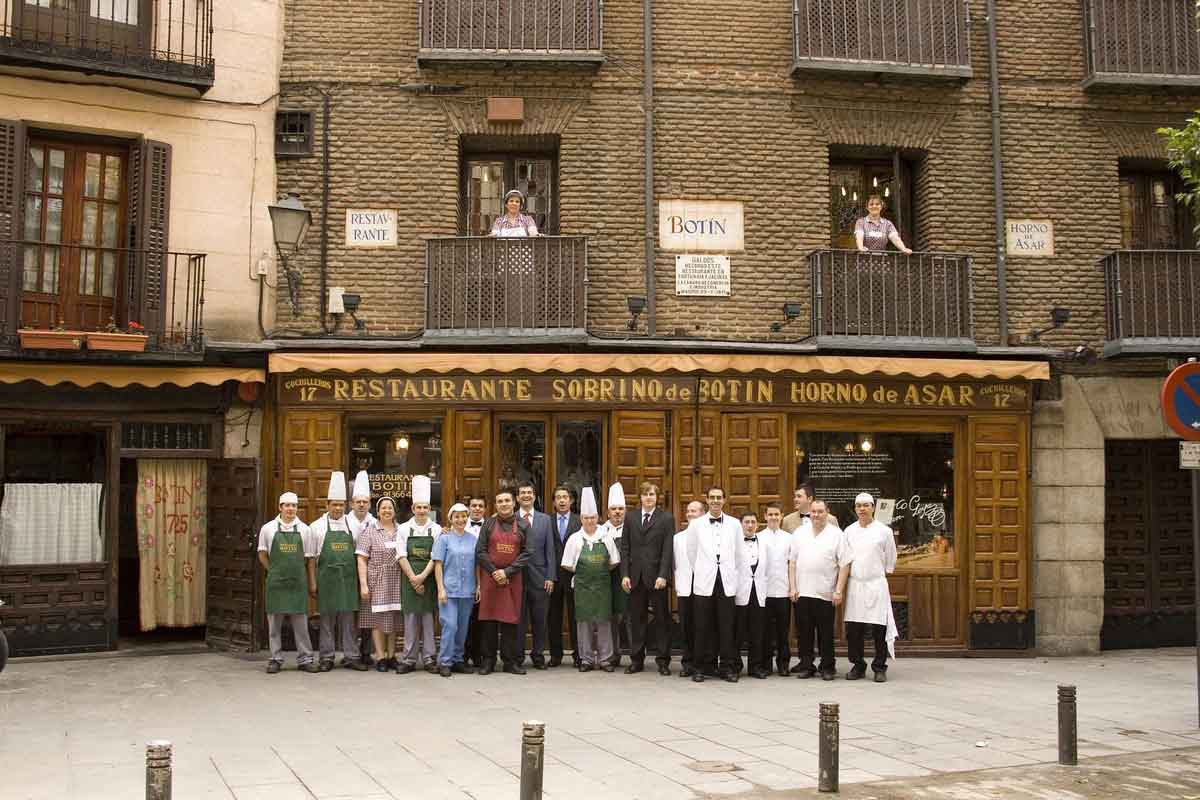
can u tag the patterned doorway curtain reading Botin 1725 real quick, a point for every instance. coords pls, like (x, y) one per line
(172, 513)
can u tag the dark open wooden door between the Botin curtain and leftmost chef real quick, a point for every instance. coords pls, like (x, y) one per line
(233, 540)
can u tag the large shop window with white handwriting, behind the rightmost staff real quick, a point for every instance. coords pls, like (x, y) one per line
(911, 477)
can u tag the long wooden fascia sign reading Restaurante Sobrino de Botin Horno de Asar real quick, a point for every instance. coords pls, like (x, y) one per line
(563, 389)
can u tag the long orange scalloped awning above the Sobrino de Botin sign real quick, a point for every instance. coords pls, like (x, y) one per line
(598, 363)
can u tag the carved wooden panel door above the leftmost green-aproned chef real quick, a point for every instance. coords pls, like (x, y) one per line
(313, 452)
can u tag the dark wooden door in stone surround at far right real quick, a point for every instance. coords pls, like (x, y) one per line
(1149, 579)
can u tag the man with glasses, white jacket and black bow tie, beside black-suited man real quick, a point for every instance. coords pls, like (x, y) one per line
(715, 542)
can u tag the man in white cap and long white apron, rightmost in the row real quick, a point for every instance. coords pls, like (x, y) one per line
(868, 599)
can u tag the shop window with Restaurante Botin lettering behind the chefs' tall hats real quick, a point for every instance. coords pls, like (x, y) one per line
(394, 452)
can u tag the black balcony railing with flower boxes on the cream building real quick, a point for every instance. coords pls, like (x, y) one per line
(88, 288)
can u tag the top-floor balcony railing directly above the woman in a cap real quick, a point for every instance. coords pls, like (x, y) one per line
(512, 31)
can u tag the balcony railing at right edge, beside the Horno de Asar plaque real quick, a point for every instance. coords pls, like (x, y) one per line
(1153, 302)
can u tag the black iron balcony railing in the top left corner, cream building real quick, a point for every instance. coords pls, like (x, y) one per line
(169, 41)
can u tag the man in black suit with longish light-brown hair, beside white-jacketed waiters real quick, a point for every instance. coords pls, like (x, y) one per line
(646, 554)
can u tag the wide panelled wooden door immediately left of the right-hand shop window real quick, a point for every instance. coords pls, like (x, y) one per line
(754, 449)
